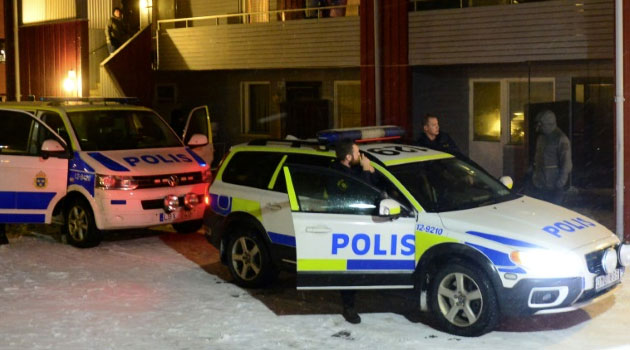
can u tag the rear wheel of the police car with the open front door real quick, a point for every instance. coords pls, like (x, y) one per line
(248, 259)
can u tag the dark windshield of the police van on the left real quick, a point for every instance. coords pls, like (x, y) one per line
(121, 129)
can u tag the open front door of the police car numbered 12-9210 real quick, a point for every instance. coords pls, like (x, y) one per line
(341, 241)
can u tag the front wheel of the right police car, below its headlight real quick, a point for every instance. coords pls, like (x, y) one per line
(463, 301)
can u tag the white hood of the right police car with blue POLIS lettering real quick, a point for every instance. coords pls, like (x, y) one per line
(528, 222)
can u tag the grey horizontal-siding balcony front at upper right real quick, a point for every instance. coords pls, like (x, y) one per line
(551, 30)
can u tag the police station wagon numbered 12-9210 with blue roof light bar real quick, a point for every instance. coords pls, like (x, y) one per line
(472, 249)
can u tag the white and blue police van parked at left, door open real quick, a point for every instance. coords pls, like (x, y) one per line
(101, 164)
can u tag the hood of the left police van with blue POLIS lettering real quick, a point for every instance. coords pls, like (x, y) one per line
(139, 162)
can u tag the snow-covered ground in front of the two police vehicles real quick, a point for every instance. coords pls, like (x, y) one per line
(158, 290)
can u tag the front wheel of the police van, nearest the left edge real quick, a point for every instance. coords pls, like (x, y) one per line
(79, 227)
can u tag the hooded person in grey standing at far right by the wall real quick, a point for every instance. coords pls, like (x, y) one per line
(552, 160)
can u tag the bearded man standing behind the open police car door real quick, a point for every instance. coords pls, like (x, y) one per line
(350, 161)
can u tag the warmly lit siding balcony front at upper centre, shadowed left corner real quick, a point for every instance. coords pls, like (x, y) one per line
(329, 42)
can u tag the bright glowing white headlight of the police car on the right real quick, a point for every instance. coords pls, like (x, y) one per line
(548, 263)
